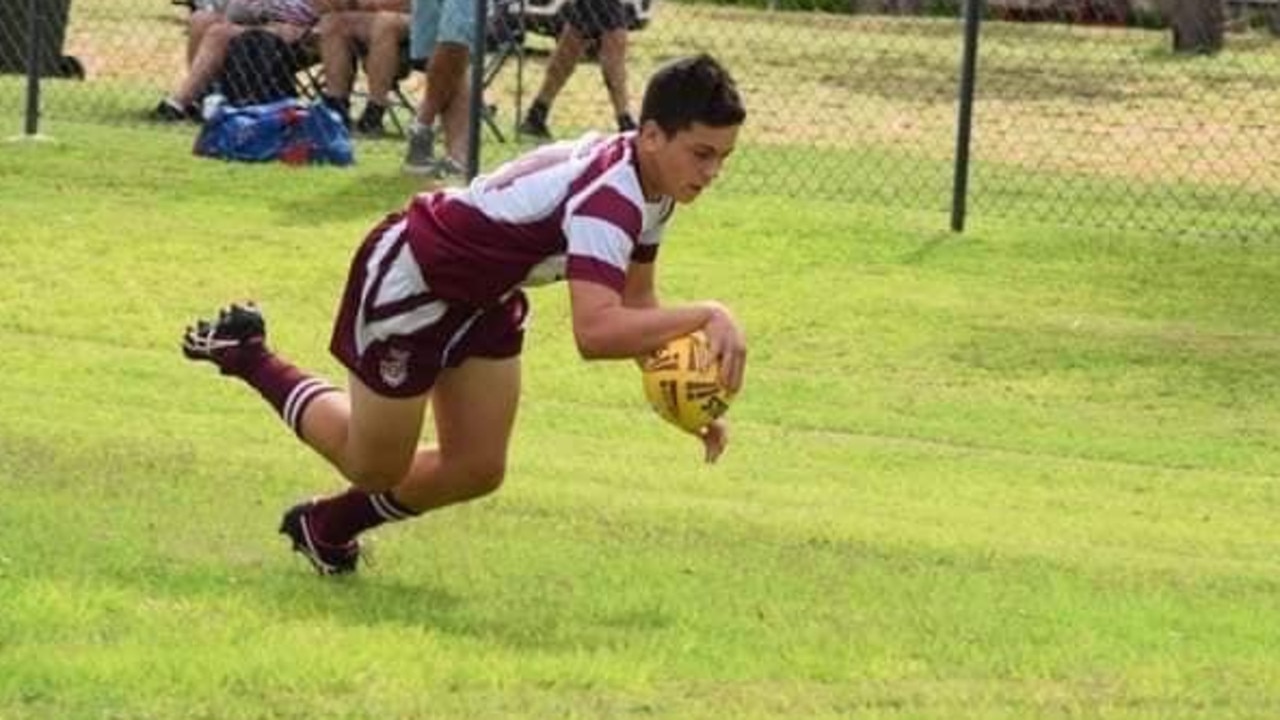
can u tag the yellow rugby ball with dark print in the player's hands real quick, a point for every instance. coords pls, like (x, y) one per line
(683, 384)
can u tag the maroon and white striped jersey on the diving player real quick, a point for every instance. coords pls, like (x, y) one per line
(568, 211)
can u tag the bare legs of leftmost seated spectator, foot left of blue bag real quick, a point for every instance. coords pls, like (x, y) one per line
(212, 33)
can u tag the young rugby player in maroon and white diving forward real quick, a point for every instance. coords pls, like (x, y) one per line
(435, 311)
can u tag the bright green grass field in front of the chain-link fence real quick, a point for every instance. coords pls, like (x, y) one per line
(1027, 472)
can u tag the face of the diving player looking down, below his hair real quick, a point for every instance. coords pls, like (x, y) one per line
(687, 163)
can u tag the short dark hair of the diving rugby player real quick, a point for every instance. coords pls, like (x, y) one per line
(692, 90)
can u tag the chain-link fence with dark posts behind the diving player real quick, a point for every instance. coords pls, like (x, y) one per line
(1085, 113)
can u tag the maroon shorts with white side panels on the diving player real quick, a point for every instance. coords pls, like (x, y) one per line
(397, 336)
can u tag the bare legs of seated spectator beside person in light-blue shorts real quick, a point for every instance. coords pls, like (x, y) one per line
(380, 33)
